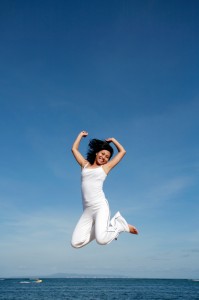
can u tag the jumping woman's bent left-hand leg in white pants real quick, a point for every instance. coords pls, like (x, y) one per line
(84, 231)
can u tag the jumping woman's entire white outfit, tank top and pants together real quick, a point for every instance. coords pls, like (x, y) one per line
(95, 221)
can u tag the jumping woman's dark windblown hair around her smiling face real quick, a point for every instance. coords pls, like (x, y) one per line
(95, 146)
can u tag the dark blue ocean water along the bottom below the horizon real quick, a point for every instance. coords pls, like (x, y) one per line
(99, 288)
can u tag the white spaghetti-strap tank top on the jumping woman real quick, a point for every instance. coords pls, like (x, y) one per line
(92, 185)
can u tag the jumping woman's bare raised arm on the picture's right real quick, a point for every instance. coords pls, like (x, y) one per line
(116, 159)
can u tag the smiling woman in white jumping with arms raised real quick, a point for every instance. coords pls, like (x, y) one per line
(95, 221)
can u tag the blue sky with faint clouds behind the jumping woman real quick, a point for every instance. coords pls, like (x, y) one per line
(123, 69)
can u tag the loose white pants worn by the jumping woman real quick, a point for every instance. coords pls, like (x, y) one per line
(95, 223)
